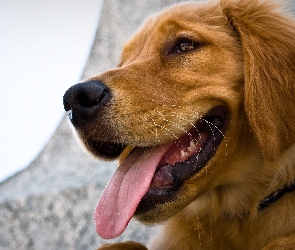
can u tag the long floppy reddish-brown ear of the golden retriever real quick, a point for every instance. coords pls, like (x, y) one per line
(268, 42)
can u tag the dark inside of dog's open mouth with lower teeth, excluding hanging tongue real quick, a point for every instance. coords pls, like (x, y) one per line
(184, 158)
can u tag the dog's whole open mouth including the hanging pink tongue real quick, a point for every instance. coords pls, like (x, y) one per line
(152, 176)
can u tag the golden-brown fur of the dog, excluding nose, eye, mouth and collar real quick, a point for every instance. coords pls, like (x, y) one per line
(246, 62)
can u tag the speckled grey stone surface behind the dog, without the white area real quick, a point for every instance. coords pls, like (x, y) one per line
(50, 204)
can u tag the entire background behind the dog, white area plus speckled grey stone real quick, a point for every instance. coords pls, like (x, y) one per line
(49, 187)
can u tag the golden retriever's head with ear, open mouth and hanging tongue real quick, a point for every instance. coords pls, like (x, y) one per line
(199, 88)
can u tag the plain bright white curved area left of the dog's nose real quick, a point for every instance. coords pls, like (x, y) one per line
(44, 46)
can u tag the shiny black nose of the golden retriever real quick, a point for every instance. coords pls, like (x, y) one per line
(85, 100)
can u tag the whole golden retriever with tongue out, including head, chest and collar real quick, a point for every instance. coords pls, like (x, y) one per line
(201, 113)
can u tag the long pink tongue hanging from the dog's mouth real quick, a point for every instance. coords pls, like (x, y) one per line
(124, 191)
